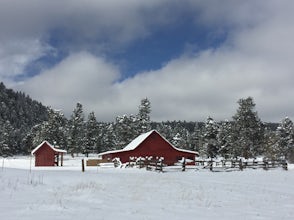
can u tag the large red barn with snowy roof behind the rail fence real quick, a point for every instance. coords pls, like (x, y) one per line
(150, 144)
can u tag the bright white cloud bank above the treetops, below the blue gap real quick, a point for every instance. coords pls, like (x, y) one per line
(189, 88)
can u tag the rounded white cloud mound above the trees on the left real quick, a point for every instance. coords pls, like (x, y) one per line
(79, 78)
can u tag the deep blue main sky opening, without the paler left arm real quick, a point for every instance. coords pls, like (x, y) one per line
(163, 45)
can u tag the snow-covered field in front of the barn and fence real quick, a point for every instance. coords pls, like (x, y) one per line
(130, 193)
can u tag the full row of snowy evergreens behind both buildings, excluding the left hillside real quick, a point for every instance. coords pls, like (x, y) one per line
(243, 136)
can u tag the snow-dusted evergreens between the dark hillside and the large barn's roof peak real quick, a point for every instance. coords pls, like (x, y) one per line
(80, 134)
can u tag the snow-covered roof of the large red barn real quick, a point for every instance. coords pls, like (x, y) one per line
(137, 141)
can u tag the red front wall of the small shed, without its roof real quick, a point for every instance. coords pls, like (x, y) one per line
(44, 156)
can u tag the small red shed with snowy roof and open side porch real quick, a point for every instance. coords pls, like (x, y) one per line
(47, 155)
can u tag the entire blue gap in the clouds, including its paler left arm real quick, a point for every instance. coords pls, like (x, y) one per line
(148, 53)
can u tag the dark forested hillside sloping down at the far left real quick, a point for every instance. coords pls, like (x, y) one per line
(18, 114)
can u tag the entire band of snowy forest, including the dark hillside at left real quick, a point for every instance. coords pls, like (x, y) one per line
(245, 135)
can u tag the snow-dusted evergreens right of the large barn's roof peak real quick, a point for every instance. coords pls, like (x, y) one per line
(245, 135)
